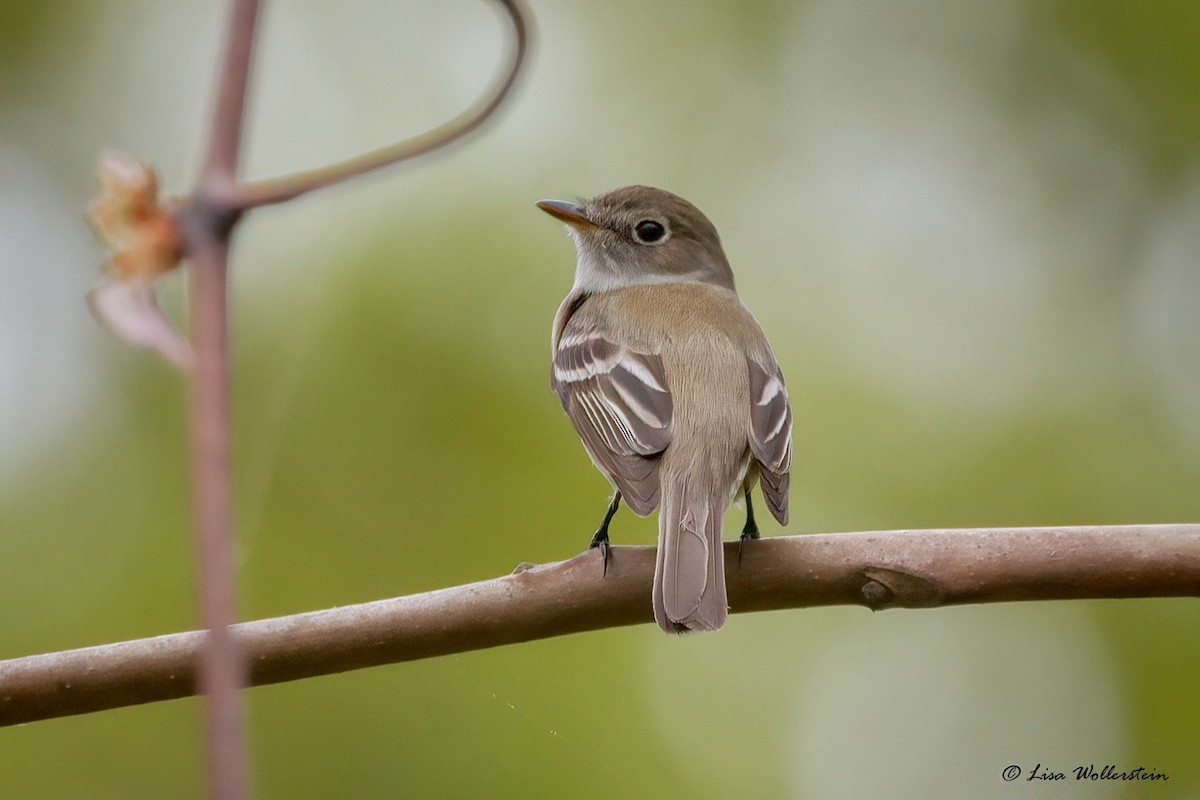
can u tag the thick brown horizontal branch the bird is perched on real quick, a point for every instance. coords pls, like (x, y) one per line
(917, 569)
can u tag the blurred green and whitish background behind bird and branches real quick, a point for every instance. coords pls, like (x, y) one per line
(973, 232)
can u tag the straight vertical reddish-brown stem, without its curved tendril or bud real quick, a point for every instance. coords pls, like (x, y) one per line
(208, 225)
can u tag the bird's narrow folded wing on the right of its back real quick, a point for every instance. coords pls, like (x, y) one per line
(771, 434)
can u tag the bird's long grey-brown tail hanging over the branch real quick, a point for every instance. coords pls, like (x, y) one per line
(689, 576)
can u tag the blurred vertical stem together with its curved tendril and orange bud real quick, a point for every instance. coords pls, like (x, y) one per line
(200, 230)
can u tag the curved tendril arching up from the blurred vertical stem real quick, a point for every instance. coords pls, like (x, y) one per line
(279, 190)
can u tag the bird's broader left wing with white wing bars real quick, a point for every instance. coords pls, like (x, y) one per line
(620, 404)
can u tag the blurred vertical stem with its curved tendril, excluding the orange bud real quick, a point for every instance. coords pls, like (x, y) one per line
(206, 224)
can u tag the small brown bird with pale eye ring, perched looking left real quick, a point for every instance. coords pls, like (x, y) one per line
(671, 386)
